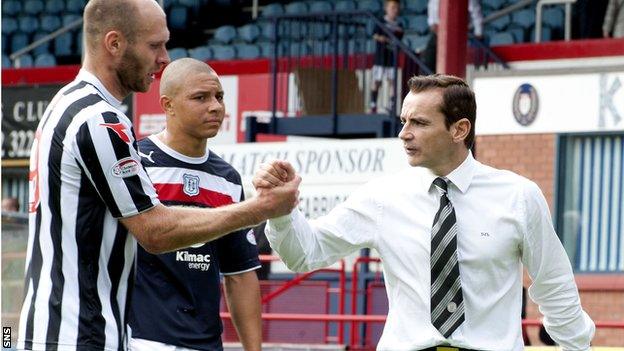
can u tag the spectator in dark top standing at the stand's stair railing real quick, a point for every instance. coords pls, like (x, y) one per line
(383, 66)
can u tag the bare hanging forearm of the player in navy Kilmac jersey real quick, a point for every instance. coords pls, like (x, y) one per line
(243, 297)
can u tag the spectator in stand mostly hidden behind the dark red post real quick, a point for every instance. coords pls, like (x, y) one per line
(433, 18)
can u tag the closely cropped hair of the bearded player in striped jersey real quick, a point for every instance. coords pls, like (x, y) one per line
(102, 16)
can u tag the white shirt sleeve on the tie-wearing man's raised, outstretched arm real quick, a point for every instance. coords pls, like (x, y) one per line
(307, 245)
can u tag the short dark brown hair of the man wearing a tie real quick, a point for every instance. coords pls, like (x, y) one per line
(458, 100)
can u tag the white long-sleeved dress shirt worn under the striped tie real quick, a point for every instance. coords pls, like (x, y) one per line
(503, 222)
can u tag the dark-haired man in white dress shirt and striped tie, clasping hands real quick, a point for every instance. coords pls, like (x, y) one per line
(484, 224)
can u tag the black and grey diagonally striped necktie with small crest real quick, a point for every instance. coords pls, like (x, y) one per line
(447, 302)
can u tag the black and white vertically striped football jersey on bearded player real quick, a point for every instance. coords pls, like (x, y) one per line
(85, 174)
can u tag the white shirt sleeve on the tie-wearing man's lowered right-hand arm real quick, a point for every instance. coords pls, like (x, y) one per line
(553, 287)
